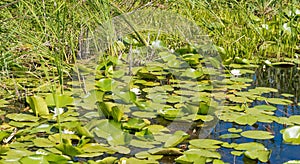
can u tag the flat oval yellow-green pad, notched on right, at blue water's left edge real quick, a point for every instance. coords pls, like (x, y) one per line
(206, 143)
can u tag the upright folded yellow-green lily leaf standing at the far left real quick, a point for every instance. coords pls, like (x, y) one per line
(38, 105)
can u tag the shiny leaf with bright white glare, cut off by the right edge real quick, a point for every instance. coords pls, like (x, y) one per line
(291, 135)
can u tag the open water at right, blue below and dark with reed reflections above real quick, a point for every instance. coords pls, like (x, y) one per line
(286, 80)
